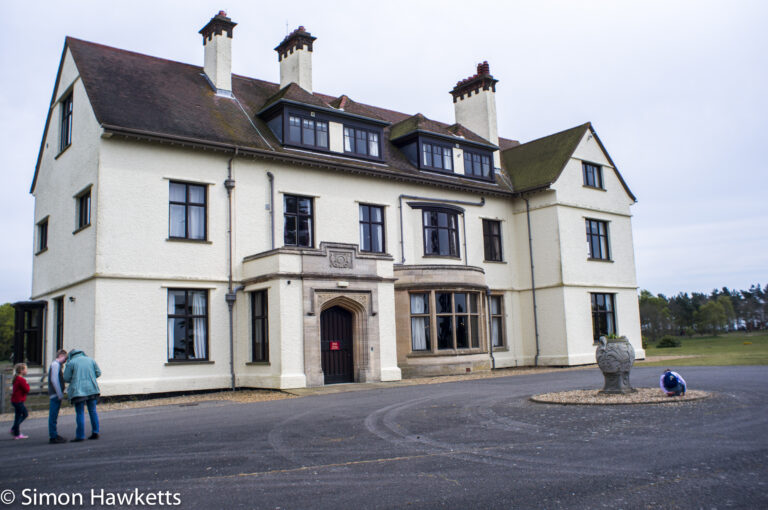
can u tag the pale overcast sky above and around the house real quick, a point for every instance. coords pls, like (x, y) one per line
(677, 91)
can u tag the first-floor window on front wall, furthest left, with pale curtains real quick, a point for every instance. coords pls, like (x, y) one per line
(187, 213)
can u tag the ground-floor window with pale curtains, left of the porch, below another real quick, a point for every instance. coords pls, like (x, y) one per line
(187, 325)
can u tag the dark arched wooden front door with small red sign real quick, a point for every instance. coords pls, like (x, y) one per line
(336, 345)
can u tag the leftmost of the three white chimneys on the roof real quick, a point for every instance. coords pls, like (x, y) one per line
(217, 40)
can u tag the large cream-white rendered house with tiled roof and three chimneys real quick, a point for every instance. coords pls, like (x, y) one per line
(197, 230)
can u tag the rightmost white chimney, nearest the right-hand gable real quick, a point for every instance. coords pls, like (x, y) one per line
(474, 100)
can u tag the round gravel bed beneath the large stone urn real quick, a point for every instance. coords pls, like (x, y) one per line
(593, 397)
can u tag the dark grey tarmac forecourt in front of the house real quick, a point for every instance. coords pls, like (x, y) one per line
(471, 444)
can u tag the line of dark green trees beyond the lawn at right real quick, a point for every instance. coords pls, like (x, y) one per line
(698, 313)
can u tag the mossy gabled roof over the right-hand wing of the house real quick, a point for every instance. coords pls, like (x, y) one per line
(538, 164)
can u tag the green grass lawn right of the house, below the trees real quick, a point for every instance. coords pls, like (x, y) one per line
(729, 349)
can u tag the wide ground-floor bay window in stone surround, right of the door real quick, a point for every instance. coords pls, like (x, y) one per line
(455, 316)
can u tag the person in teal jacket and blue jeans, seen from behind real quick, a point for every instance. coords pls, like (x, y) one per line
(81, 374)
